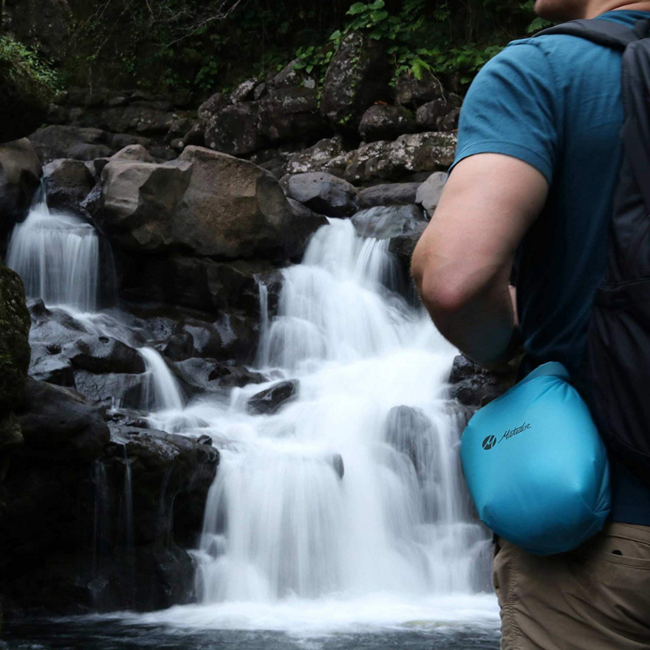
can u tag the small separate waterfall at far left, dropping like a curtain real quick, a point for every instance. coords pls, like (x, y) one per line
(57, 256)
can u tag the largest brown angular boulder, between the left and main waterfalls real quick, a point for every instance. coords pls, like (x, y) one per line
(206, 203)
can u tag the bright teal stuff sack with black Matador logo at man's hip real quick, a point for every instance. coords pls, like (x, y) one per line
(536, 466)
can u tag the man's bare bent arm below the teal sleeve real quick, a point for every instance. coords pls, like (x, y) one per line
(463, 261)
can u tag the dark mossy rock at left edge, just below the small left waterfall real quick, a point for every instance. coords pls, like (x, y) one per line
(14, 340)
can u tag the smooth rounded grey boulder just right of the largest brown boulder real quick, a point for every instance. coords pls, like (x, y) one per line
(324, 194)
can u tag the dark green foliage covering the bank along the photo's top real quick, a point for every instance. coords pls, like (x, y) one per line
(185, 45)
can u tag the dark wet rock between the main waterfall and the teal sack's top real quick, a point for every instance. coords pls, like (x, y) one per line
(472, 385)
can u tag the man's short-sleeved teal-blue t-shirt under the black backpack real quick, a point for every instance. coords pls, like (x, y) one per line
(555, 103)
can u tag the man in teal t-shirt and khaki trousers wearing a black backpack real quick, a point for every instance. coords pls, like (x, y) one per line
(539, 151)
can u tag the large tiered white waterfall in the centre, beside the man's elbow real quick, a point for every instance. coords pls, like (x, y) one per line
(280, 522)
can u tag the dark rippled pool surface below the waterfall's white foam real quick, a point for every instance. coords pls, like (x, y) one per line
(94, 634)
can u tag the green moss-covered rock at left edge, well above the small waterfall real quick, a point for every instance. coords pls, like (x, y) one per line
(27, 87)
